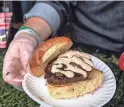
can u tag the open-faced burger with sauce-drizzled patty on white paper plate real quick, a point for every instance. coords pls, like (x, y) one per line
(68, 73)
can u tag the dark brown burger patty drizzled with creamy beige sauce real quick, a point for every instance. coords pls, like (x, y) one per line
(71, 66)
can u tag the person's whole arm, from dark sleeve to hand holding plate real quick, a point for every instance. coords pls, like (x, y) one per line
(17, 58)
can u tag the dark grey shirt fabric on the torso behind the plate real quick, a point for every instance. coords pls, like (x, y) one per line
(95, 23)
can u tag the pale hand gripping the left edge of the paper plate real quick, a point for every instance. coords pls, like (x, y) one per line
(17, 59)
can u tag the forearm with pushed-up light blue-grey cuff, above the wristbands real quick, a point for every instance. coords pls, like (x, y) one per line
(45, 18)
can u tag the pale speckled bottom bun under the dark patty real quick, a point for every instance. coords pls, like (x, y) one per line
(77, 89)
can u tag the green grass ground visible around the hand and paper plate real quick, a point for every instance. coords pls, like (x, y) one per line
(10, 97)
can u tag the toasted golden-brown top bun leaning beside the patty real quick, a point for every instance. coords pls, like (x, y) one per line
(46, 52)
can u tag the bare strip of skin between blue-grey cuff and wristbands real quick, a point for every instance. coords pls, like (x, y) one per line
(40, 26)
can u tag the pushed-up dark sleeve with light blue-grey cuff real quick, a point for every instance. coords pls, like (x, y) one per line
(51, 12)
